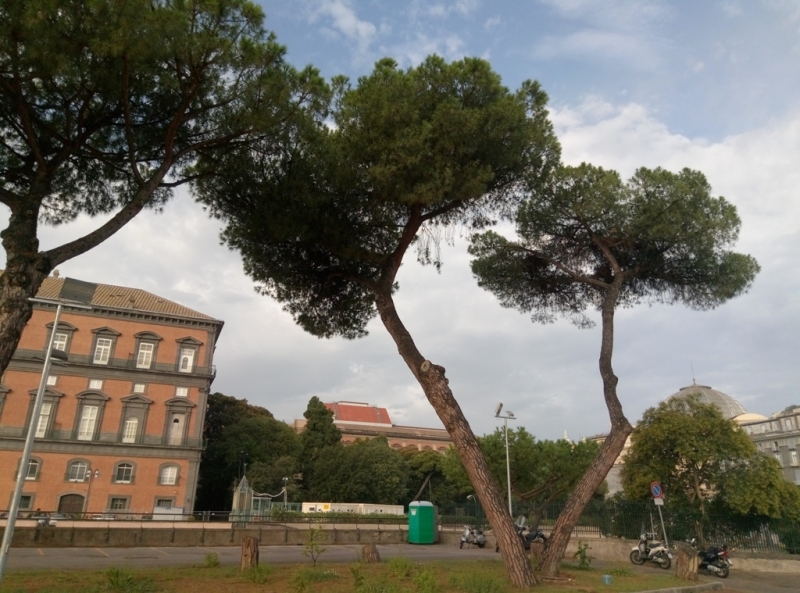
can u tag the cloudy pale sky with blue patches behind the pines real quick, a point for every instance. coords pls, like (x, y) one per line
(712, 85)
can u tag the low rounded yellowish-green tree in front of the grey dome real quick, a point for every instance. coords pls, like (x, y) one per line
(703, 459)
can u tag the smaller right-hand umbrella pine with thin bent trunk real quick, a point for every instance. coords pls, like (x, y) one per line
(587, 239)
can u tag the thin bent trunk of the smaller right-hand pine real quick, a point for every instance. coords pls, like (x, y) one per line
(609, 451)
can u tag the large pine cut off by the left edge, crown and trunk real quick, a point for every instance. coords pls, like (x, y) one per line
(105, 108)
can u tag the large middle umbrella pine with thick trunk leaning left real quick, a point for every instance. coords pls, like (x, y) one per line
(400, 157)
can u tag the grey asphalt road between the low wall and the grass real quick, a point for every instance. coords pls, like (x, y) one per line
(21, 559)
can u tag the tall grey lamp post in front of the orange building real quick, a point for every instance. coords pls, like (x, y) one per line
(74, 294)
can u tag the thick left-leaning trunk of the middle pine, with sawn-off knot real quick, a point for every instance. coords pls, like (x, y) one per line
(435, 386)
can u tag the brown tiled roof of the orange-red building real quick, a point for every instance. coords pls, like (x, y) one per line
(124, 298)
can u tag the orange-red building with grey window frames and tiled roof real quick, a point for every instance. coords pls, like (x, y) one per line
(120, 429)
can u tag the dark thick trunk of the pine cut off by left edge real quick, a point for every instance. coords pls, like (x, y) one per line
(24, 273)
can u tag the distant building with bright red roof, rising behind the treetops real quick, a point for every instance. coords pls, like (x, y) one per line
(358, 420)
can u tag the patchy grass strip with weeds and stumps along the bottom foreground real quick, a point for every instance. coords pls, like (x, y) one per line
(455, 576)
